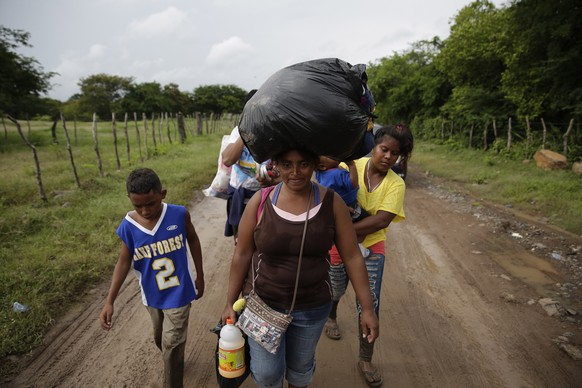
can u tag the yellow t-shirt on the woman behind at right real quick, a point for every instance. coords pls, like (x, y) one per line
(388, 196)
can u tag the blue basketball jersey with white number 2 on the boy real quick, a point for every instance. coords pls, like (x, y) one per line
(160, 258)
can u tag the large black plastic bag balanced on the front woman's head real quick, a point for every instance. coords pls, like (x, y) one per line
(323, 106)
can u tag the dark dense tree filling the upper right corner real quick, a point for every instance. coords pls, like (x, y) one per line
(545, 52)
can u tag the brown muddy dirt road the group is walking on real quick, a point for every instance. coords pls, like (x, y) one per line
(459, 309)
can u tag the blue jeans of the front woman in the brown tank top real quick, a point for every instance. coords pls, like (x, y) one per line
(295, 358)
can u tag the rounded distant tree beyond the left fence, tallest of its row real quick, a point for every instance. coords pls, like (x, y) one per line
(103, 94)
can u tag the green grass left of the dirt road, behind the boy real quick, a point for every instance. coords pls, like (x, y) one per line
(52, 252)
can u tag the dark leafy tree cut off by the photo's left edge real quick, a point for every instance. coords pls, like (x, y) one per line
(22, 79)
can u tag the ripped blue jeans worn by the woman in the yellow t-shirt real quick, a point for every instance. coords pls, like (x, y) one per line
(339, 283)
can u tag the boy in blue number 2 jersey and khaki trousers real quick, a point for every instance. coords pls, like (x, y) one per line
(153, 240)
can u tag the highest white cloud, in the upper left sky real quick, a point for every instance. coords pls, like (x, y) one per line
(158, 24)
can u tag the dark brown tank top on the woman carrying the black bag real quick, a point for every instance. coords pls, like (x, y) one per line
(275, 260)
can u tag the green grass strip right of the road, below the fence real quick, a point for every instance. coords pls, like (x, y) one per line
(552, 196)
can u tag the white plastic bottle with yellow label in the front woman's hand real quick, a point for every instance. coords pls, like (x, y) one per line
(231, 351)
